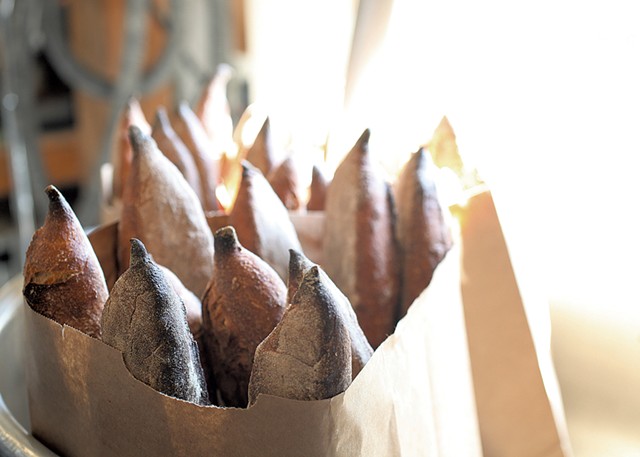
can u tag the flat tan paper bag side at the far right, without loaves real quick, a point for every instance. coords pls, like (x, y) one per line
(520, 411)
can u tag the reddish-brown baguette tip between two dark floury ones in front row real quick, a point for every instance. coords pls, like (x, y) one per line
(243, 303)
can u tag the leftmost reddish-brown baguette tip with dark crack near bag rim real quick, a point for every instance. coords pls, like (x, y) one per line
(62, 277)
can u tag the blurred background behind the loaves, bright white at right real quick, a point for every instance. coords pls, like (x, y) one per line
(543, 98)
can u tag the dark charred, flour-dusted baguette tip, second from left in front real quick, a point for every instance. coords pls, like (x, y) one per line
(146, 320)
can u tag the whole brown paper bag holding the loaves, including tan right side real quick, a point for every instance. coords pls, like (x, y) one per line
(414, 397)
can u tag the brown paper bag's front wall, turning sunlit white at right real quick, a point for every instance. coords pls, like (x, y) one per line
(413, 398)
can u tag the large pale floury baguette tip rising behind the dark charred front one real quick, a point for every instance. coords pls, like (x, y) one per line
(160, 209)
